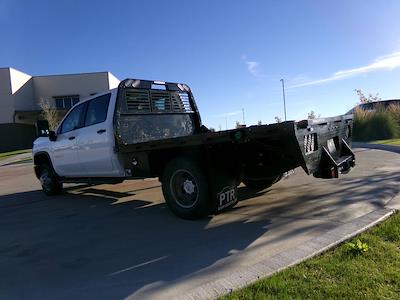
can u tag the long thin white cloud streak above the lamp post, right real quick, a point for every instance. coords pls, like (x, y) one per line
(387, 62)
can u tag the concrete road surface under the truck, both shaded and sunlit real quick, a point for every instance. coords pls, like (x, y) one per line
(121, 241)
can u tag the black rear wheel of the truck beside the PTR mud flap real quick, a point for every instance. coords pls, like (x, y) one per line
(185, 188)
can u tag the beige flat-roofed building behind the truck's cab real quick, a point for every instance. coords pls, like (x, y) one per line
(20, 94)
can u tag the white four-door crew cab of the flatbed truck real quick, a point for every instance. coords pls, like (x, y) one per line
(83, 144)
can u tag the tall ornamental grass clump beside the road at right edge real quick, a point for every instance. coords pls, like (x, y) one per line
(379, 124)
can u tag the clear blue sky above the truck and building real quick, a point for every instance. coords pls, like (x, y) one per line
(232, 53)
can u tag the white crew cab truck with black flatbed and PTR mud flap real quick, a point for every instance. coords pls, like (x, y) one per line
(153, 129)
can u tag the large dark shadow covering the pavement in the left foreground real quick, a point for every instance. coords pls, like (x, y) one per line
(87, 247)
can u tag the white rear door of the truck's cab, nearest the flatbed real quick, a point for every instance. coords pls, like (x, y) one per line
(96, 140)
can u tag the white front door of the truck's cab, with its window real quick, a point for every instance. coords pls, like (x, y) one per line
(65, 154)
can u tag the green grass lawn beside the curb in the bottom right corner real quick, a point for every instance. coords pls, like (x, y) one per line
(340, 273)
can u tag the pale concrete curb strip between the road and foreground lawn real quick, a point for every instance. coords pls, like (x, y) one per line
(286, 259)
